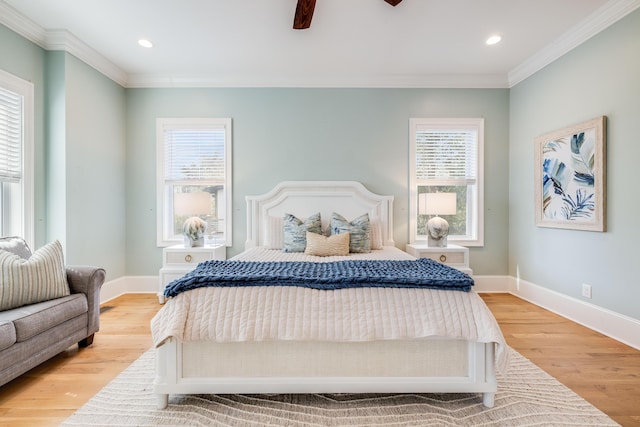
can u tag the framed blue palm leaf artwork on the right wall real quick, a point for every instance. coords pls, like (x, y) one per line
(570, 177)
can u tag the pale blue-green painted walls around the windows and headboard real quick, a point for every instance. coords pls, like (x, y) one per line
(104, 136)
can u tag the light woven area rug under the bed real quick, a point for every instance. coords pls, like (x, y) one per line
(527, 397)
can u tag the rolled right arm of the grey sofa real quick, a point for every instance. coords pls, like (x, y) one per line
(88, 280)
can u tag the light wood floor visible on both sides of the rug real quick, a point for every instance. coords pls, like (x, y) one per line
(601, 370)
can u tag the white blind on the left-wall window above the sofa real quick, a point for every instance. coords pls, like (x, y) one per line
(11, 133)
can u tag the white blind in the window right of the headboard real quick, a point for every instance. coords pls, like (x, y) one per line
(446, 155)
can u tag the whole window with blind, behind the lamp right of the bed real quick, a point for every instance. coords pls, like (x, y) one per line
(446, 156)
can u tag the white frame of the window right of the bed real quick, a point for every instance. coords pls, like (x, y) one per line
(475, 216)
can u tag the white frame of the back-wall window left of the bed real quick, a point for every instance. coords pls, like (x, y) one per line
(164, 209)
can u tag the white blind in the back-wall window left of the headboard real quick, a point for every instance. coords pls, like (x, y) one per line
(194, 155)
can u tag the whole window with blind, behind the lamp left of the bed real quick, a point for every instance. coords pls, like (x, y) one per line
(194, 177)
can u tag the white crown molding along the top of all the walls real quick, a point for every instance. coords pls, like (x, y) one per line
(602, 18)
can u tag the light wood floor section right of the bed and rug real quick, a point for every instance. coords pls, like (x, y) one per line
(601, 370)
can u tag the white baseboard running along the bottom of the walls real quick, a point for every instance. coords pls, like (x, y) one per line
(614, 325)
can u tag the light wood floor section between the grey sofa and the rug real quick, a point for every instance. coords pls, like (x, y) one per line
(50, 393)
